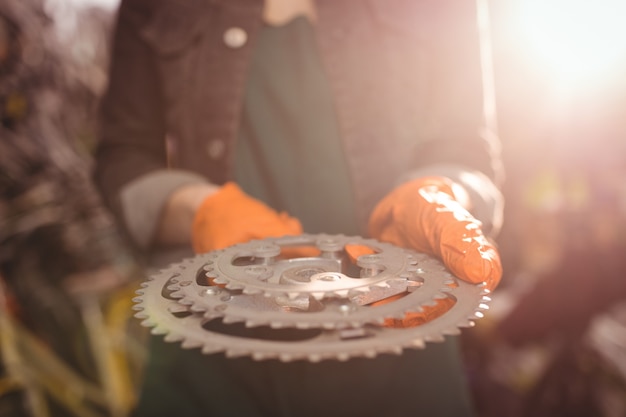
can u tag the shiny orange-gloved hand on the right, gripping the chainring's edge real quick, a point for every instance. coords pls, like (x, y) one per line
(424, 215)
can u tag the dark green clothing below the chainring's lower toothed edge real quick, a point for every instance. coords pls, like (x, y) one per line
(187, 383)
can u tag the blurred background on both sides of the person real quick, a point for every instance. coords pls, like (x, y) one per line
(554, 342)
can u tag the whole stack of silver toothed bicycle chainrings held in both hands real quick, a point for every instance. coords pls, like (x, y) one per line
(258, 299)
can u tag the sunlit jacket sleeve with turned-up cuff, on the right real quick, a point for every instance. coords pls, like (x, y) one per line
(466, 147)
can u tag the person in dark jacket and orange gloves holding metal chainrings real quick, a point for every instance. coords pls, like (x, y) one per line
(232, 120)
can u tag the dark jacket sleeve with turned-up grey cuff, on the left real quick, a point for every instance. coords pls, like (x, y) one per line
(131, 157)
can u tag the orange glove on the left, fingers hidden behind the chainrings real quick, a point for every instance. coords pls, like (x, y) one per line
(230, 216)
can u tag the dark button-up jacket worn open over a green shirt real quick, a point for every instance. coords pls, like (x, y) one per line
(406, 76)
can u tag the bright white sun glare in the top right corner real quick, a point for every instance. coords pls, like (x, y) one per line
(576, 43)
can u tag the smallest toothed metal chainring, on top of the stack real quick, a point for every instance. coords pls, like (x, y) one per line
(255, 267)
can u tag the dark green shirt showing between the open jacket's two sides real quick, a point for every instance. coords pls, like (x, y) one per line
(289, 152)
